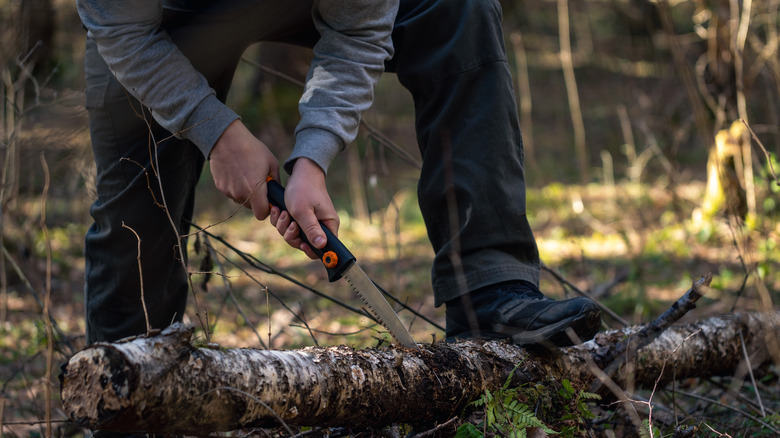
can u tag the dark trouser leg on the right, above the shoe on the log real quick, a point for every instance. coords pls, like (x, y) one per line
(451, 56)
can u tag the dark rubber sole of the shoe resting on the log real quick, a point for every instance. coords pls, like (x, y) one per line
(585, 325)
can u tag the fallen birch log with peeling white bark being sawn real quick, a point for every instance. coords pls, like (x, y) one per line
(164, 384)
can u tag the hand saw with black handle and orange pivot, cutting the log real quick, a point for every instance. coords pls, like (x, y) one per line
(340, 263)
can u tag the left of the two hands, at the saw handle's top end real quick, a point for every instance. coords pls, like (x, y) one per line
(239, 165)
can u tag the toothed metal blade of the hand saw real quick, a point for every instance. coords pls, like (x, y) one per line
(378, 305)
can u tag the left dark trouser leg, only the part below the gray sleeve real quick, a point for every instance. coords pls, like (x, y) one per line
(130, 200)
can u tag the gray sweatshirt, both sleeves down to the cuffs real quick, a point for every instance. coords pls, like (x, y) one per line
(348, 61)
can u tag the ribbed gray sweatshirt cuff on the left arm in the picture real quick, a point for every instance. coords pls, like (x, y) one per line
(207, 123)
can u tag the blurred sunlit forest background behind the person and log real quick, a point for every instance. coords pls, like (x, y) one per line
(652, 136)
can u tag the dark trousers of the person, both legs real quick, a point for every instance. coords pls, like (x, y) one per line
(448, 53)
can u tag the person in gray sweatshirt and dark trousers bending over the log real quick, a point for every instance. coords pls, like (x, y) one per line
(157, 75)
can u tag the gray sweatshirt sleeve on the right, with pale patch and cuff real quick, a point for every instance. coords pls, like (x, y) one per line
(355, 41)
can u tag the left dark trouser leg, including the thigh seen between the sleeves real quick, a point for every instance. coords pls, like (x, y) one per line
(130, 199)
